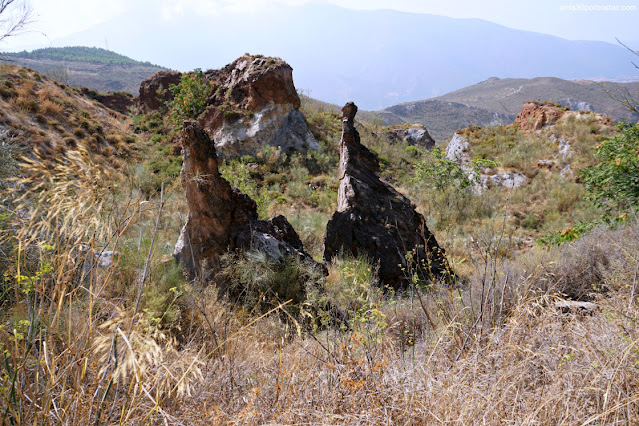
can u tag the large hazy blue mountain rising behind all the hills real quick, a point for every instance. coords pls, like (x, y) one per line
(375, 58)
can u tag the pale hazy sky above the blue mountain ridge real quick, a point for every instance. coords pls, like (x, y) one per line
(576, 20)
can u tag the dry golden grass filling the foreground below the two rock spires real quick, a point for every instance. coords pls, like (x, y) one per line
(495, 351)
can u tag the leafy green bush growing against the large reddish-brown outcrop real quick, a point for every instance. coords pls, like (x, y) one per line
(189, 97)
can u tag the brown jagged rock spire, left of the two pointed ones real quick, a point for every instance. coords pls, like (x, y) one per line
(221, 218)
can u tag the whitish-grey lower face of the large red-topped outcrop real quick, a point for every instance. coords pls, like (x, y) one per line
(276, 125)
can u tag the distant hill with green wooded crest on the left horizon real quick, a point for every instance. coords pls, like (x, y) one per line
(96, 68)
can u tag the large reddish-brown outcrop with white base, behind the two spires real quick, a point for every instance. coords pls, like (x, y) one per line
(254, 103)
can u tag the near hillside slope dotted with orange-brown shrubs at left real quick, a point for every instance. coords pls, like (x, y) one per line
(40, 114)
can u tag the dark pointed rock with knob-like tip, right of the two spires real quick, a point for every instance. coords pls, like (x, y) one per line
(376, 221)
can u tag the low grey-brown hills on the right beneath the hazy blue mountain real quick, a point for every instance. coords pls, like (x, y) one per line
(499, 100)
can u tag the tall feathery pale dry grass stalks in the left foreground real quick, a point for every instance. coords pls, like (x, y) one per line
(70, 354)
